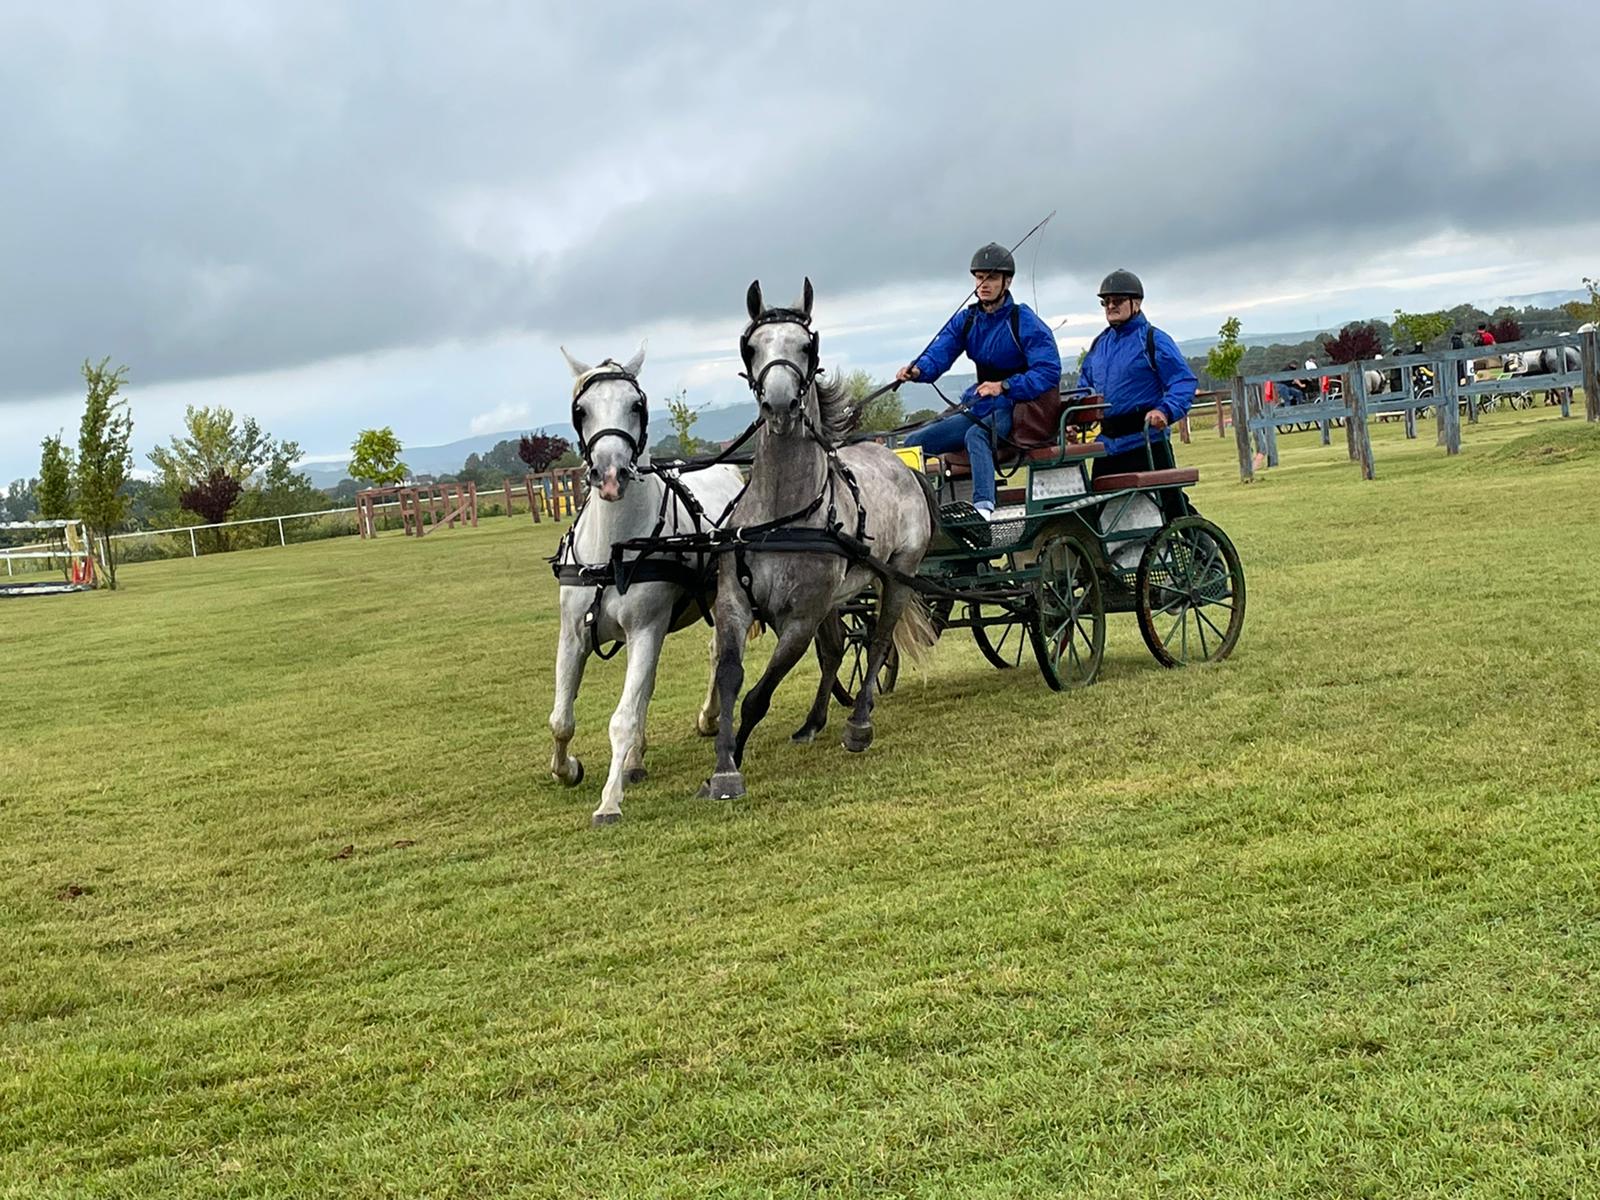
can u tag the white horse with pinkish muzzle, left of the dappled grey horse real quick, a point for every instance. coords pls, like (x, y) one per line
(628, 498)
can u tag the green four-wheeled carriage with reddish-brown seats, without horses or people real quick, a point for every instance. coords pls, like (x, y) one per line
(1063, 553)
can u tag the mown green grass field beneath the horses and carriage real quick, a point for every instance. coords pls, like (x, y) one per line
(289, 905)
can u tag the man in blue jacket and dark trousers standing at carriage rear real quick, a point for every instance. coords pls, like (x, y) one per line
(1146, 382)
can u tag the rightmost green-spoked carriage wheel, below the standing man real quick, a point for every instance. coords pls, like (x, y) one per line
(1190, 594)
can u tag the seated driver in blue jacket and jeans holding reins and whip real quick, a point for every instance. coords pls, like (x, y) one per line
(1017, 359)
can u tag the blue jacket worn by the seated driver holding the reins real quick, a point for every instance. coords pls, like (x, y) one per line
(1030, 370)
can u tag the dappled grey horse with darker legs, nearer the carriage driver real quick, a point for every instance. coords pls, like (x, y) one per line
(804, 481)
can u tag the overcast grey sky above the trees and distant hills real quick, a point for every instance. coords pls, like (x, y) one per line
(342, 215)
